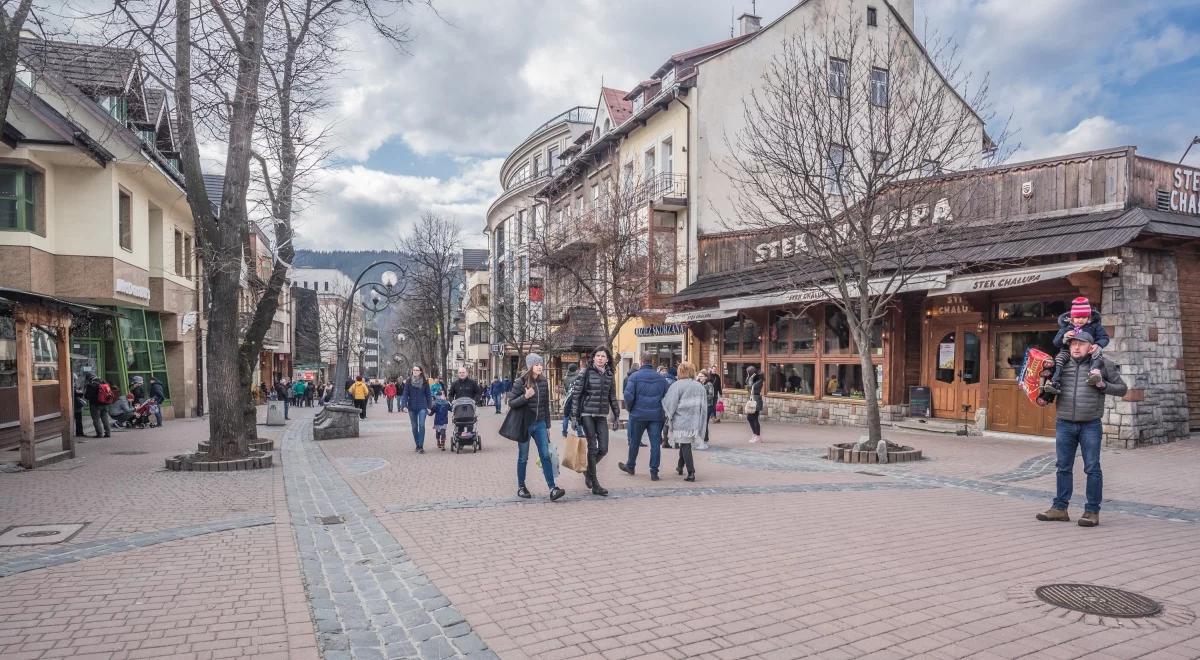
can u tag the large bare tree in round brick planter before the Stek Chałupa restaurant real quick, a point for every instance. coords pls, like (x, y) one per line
(837, 140)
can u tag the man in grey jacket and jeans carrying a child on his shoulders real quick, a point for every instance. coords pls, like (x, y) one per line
(1081, 409)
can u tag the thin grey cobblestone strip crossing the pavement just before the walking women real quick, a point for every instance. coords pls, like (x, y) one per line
(639, 494)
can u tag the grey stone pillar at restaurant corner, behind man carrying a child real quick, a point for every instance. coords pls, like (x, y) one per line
(1142, 314)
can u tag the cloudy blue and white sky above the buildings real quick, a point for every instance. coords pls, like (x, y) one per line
(428, 130)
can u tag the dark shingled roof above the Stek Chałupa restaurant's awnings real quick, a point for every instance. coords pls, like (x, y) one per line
(979, 244)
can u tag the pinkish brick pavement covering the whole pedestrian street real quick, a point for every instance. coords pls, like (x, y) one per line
(773, 553)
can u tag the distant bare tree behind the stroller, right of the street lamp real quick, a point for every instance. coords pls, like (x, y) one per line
(434, 250)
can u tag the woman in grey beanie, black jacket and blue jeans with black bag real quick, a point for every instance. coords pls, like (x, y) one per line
(530, 418)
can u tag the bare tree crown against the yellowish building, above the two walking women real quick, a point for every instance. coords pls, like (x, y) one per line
(601, 257)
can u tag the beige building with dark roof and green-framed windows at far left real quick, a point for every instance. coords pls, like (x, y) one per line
(93, 211)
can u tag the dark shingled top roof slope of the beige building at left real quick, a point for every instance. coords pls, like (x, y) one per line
(85, 65)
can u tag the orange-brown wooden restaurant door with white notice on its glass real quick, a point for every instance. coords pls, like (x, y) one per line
(956, 369)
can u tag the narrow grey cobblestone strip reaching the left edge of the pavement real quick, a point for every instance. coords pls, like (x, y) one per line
(57, 556)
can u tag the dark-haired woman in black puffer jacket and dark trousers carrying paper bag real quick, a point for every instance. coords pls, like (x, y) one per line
(595, 395)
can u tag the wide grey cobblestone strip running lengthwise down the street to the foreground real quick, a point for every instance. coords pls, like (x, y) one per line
(369, 599)
